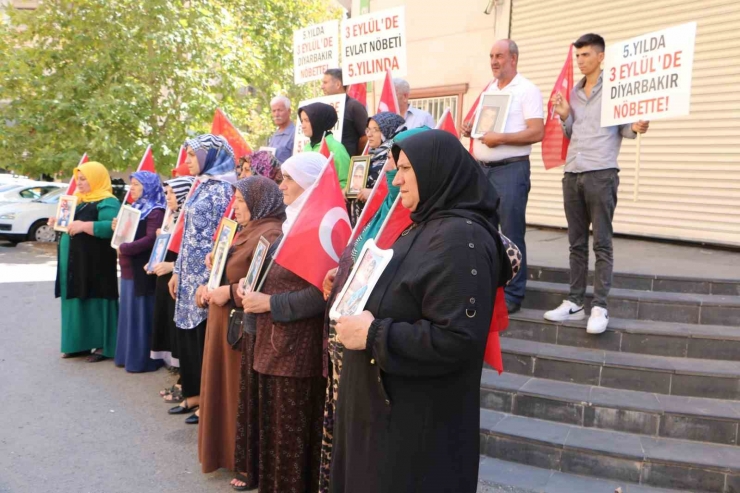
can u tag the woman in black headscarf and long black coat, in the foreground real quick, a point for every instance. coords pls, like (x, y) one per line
(409, 402)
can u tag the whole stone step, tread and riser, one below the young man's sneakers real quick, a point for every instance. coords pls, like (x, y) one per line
(629, 371)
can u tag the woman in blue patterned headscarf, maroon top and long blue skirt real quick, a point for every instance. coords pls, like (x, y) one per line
(137, 288)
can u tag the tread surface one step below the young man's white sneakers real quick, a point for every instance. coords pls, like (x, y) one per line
(664, 364)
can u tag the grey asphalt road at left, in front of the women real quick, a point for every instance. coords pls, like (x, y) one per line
(72, 426)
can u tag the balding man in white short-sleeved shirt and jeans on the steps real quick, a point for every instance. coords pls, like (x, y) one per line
(505, 155)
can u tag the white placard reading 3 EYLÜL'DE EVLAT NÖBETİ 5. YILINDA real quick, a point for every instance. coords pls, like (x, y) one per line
(373, 43)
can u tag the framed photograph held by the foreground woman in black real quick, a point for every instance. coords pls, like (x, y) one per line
(370, 264)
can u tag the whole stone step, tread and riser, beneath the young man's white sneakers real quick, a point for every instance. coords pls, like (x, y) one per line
(631, 336)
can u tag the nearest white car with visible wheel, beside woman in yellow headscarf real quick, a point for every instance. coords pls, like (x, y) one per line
(27, 221)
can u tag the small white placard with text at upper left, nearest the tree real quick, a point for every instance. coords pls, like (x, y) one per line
(315, 50)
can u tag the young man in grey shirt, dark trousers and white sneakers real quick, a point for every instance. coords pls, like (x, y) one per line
(590, 184)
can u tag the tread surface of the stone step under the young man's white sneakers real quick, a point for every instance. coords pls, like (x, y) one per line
(632, 326)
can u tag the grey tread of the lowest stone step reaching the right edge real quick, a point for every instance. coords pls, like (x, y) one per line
(611, 443)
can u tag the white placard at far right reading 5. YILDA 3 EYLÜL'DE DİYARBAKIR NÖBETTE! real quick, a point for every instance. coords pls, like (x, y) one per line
(648, 77)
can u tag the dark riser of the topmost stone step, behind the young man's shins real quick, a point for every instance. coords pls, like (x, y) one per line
(643, 282)
